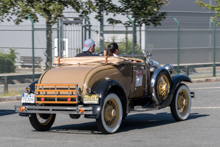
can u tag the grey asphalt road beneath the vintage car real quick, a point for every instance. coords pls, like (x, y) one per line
(152, 128)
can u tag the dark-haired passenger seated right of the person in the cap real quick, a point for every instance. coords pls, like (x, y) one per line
(112, 50)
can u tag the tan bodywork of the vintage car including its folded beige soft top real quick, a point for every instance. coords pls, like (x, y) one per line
(86, 74)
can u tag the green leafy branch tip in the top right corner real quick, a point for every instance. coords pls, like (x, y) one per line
(215, 8)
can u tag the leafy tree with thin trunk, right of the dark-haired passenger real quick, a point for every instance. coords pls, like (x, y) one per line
(141, 11)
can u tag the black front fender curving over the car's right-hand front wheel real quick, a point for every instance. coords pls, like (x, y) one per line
(176, 80)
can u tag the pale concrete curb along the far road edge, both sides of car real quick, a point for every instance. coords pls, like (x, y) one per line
(18, 97)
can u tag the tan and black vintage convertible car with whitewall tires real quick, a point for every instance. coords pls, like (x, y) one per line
(106, 92)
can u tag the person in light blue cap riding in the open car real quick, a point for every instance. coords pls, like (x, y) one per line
(88, 49)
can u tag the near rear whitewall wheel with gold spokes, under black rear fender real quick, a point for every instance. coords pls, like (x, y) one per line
(111, 114)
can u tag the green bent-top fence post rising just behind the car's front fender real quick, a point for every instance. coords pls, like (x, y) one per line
(178, 44)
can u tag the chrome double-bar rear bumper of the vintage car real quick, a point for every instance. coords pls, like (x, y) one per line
(54, 110)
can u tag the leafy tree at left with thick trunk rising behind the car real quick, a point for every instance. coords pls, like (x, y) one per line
(49, 9)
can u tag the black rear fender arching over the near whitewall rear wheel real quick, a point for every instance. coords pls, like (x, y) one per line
(102, 90)
